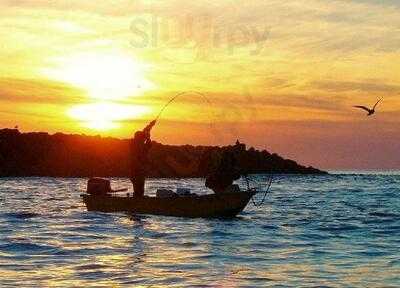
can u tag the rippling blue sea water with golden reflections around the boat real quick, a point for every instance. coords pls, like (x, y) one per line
(338, 230)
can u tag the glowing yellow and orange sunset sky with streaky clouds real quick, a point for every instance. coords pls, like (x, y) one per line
(278, 75)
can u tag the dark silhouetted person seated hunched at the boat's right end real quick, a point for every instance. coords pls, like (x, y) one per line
(225, 174)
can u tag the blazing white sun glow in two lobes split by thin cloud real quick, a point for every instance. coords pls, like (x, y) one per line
(105, 78)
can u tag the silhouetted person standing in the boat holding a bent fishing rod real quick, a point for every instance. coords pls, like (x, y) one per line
(140, 146)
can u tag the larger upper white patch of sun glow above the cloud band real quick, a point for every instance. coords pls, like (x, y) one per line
(104, 76)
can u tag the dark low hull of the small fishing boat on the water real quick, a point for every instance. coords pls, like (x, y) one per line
(204, 206)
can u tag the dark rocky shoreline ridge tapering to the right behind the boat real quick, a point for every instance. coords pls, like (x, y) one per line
(62, 155)
